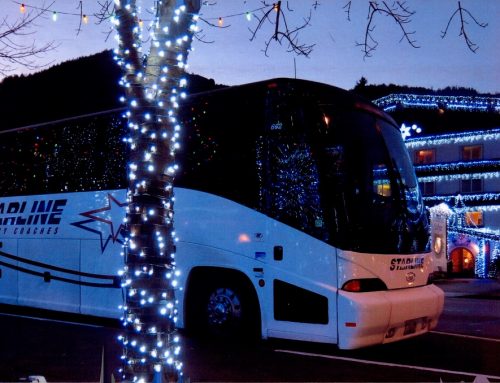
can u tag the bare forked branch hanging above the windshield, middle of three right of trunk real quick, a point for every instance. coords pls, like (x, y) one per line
(398, 12)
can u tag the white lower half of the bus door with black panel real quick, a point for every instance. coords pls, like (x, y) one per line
(302, 278)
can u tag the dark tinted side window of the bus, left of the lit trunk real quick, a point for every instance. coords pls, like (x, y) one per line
(83, 154)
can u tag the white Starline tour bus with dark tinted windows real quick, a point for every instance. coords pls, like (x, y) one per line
(297, 209)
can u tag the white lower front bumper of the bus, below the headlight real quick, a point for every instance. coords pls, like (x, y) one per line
(370, 318)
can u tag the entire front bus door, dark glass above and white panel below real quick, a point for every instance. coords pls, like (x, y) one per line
(302, 270)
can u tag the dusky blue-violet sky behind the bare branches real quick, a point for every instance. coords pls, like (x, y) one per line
(230, 58)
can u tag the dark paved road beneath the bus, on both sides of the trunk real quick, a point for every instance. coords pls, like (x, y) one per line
(69, 352)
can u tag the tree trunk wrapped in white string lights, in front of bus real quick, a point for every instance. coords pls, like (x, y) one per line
(153, 85)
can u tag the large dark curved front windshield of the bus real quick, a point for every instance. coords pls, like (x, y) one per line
(373, 204)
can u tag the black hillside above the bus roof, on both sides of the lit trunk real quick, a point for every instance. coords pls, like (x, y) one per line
(76, 87)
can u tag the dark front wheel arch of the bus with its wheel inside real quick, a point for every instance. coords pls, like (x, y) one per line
(221, 302)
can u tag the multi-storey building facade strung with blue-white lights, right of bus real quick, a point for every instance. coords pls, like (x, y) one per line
(459, 175)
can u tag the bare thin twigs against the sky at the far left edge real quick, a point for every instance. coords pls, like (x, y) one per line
(13, 52)
